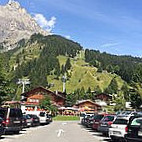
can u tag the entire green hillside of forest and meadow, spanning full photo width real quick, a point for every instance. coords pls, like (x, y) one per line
(46, 59)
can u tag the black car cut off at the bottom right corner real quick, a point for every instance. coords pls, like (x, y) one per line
(135, 129)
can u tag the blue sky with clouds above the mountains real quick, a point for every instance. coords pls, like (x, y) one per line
(112, 26)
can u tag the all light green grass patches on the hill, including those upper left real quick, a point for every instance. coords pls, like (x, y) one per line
(82, 75)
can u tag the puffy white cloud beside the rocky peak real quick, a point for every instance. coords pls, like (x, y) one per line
(47, 25)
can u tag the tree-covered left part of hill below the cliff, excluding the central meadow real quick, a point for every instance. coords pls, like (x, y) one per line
(38, 58)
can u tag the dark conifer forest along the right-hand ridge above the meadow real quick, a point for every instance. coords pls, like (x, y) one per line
(129, 68)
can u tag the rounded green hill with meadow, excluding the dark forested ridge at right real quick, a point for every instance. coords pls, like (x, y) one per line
(45, 60)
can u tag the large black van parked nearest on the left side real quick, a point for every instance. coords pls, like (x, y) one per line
(12, 119)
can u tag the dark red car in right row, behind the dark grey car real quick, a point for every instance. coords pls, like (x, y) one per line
(97, 119)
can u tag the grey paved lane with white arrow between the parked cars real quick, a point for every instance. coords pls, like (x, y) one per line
(56, 132)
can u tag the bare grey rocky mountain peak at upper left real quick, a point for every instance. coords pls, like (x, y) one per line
(16, 24)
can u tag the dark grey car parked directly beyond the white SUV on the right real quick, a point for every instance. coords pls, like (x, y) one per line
(105, 124)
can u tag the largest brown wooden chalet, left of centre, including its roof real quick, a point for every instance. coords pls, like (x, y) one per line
(34, 97)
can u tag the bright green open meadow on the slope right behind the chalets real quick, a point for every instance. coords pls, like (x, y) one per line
(83, 75)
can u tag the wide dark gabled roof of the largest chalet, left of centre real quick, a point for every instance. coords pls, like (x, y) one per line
(41, 89)
